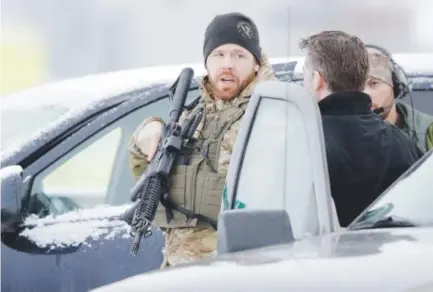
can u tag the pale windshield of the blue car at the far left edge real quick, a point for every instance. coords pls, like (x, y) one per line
(19, 123)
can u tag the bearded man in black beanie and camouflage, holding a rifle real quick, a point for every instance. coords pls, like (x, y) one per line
(234, 64)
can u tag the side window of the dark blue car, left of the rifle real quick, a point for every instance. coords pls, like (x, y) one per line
(97, 170)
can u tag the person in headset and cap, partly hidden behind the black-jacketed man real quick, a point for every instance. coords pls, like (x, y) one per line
(387, 84)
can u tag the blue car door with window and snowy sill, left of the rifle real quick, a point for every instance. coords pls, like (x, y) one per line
(62, 248)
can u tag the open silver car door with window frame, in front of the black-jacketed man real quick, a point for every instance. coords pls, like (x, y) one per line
(279, 161)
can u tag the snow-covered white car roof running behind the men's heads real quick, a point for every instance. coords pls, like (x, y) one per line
(78, 91)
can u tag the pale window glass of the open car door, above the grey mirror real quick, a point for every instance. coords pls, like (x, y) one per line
(276, 153)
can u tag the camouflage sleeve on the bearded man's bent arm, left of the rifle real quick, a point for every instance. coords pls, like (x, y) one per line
(137, 160)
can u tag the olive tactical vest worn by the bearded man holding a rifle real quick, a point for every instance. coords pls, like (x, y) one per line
(197, 186)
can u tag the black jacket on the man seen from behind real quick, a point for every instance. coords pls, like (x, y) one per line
(365, 154)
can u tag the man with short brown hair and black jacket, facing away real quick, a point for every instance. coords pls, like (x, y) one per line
(365, 154)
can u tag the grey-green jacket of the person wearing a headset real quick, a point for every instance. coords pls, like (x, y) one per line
(416, 125)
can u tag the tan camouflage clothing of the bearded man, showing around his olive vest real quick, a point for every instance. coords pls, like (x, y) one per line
(188, 244)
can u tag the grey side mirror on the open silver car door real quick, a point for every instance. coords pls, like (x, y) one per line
(242, 229)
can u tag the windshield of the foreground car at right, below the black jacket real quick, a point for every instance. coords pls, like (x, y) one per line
(410, 198)
